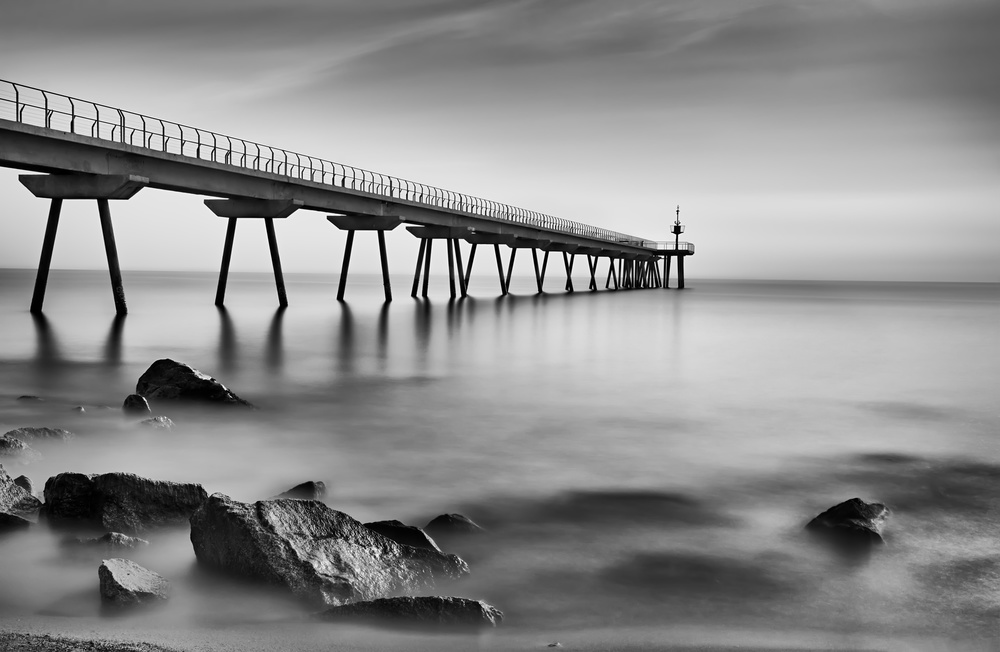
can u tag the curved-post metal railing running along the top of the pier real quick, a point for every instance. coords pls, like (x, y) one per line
(34, 106)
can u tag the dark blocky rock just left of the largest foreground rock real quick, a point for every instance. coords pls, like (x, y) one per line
(121, 501)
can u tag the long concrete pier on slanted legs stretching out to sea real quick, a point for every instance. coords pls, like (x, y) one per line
(84, 150)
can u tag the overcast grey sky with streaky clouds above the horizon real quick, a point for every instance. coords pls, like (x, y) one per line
(803, 139)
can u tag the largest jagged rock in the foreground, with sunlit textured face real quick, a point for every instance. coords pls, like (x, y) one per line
(319, 554)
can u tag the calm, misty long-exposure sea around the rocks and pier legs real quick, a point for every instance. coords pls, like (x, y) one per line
(644, 461)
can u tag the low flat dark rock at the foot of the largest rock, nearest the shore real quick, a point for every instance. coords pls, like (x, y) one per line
(426, 611)
